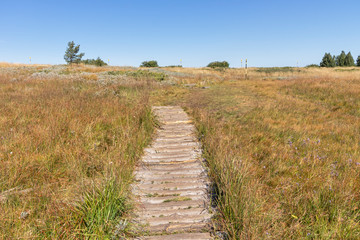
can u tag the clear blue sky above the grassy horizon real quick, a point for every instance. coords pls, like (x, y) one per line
(267, 33)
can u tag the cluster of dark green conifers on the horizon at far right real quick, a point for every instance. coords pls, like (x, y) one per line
(342, 60)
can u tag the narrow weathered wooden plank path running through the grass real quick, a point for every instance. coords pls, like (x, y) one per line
(172, 184)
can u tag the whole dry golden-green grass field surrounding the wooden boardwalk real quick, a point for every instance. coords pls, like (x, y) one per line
(282, 146)
